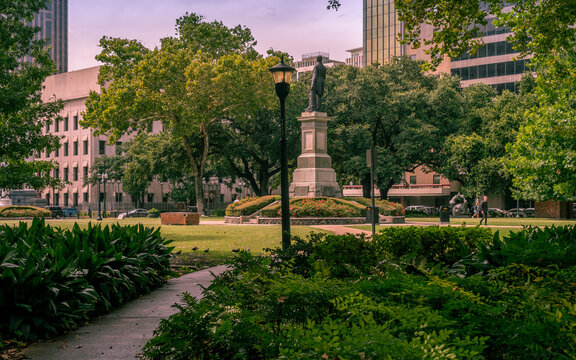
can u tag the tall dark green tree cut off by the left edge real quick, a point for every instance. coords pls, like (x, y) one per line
(23, 115)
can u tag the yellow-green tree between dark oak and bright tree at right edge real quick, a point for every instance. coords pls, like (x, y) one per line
(474, 155)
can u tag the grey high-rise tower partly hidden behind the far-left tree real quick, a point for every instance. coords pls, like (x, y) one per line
(53, 23)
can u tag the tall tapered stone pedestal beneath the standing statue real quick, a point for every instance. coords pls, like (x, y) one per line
(314, 176)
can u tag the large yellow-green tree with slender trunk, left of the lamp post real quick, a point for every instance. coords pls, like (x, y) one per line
(206, 74)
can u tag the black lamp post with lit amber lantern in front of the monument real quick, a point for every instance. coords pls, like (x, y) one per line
(282, 74)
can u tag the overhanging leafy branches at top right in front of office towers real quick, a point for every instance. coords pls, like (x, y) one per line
(539, 29)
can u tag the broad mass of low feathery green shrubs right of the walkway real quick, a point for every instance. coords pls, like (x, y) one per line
(335, 297)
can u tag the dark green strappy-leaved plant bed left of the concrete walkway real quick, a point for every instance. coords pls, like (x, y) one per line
(52, 279)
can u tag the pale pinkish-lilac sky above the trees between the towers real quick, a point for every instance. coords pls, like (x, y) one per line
(294, 26)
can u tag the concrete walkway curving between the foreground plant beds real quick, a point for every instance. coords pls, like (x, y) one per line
(123, 333)
